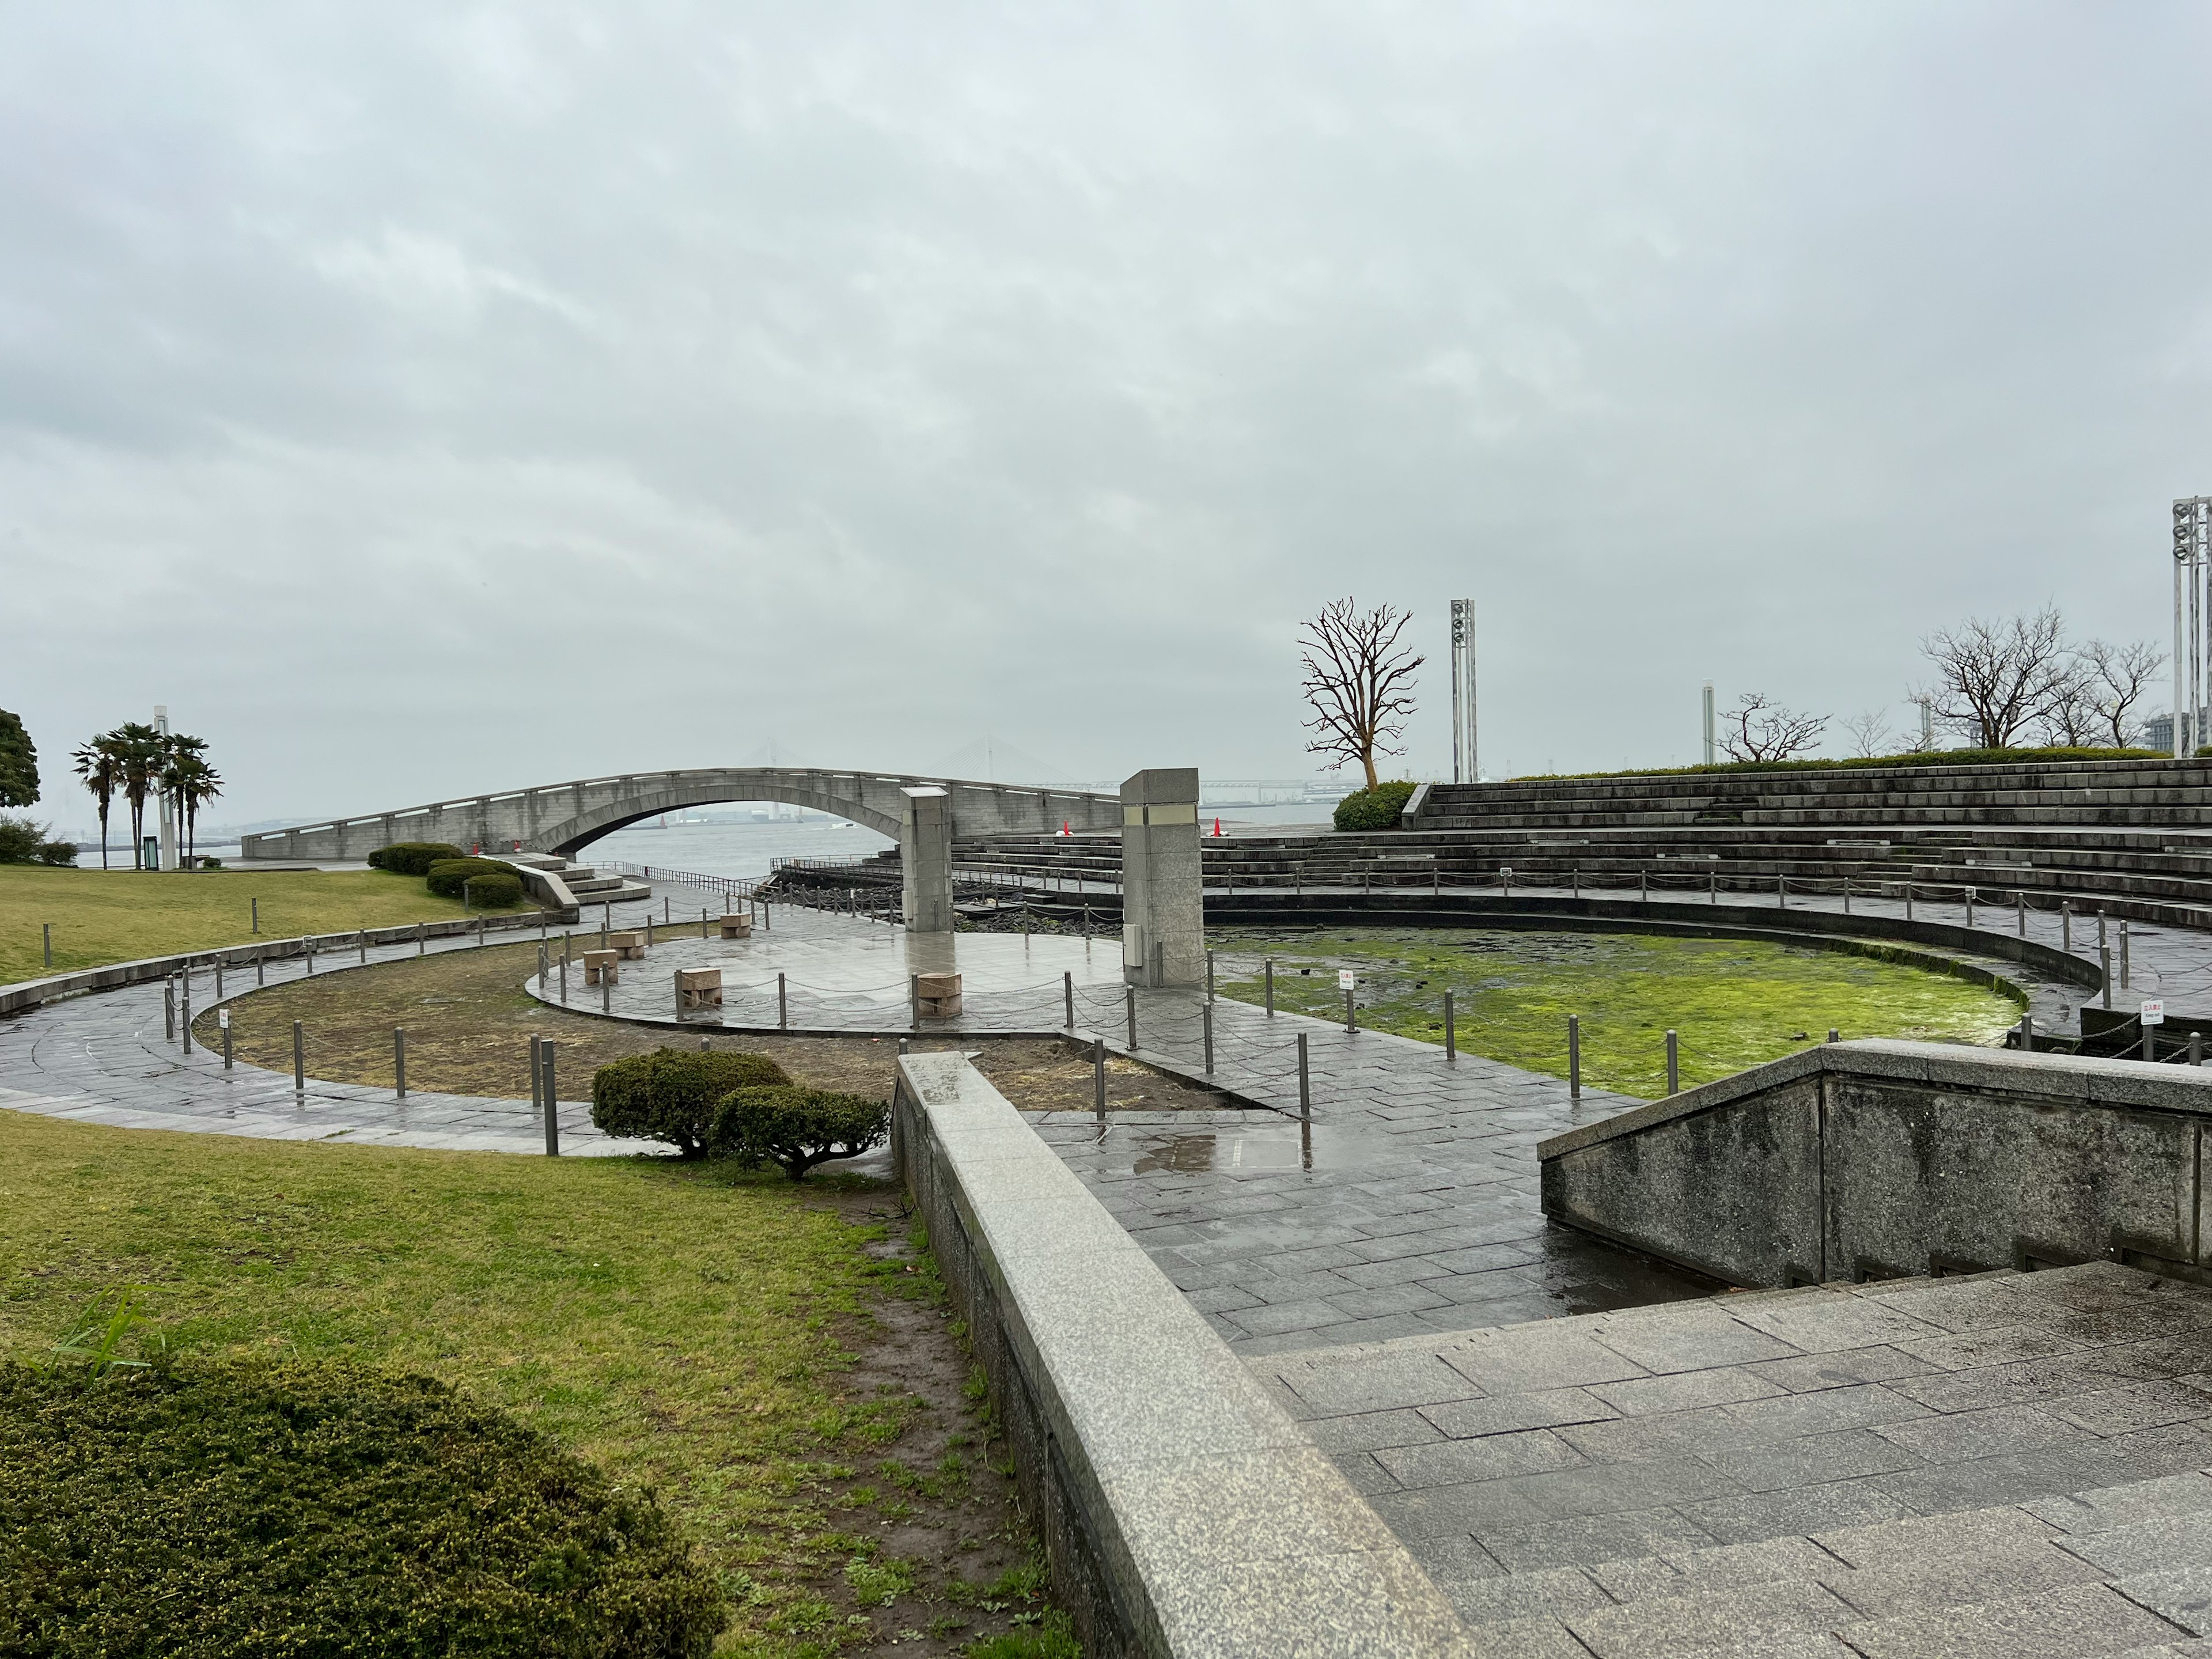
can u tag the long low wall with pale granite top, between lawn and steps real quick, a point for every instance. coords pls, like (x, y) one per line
(1182, 1512)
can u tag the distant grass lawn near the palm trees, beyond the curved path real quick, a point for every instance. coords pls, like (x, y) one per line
(114, 917)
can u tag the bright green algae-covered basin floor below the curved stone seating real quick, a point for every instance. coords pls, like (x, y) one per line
(1733, 1003)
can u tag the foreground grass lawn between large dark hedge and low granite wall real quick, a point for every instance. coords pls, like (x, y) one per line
(773, 1361)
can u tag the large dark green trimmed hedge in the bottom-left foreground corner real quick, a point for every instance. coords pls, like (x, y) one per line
(275, 1512)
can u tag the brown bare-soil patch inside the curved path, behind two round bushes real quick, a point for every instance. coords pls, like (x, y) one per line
(470, 1032)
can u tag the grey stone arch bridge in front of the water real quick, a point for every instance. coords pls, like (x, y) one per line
(565, 817)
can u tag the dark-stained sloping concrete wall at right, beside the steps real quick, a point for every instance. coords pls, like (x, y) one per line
(1875, 1160)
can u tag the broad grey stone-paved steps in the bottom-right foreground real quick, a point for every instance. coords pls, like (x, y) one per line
(1987, 1465)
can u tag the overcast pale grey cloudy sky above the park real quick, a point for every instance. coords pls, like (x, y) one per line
(430, 399)
